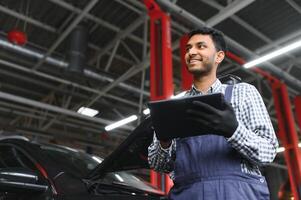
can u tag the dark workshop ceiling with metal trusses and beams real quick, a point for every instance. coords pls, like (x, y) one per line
(39, 98)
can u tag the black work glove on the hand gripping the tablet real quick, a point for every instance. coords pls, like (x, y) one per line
(211, 120)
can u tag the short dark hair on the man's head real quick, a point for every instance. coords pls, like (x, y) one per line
(217, 37)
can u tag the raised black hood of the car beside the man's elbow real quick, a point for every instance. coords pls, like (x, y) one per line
(130, 154)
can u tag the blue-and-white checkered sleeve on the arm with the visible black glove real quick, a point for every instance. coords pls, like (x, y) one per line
(254, 137)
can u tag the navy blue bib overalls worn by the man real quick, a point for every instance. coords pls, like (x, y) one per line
(208, 168)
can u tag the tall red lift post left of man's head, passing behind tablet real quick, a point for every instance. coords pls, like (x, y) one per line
(161, 73)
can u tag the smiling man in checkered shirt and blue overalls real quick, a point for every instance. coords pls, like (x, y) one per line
(224, 163)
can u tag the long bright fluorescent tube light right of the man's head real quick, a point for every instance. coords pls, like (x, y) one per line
(273, 54)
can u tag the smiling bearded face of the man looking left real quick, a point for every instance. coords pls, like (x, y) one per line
(201, 56)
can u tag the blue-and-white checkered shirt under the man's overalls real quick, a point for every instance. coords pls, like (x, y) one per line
(254, 137)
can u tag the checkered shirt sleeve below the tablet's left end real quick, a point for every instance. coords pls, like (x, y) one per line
(160, 159)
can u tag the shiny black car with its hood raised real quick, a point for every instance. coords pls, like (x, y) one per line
(30, 170)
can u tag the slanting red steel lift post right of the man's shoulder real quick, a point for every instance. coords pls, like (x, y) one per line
(287, 132)
